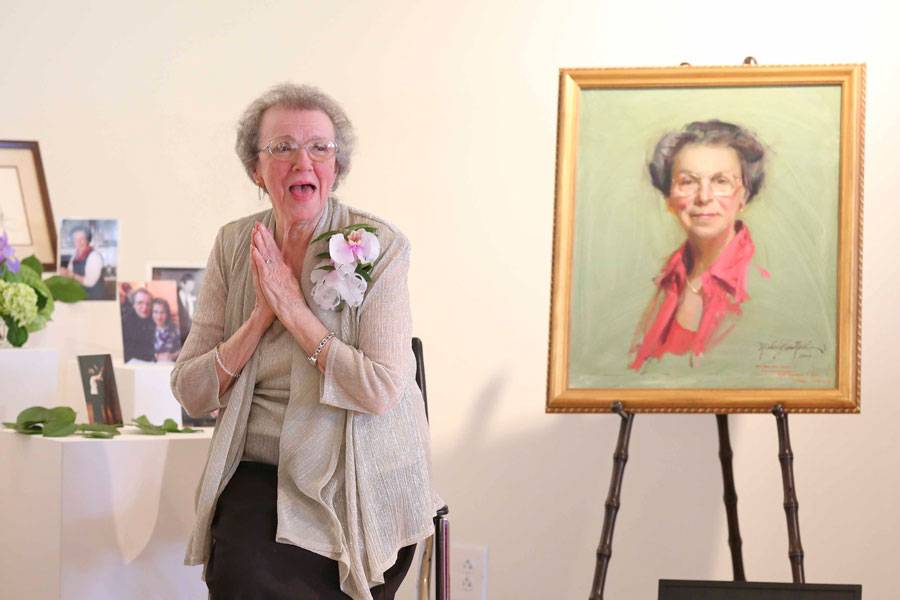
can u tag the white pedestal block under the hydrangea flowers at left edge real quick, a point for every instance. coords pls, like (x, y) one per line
(28, 377)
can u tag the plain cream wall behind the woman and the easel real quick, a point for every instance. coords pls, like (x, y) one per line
(455, 106)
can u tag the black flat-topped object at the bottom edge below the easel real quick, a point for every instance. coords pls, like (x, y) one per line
(671, 589)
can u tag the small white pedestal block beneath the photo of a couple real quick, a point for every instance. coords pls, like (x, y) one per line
(144, 390)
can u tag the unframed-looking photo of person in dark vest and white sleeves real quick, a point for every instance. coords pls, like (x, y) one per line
(89, 254)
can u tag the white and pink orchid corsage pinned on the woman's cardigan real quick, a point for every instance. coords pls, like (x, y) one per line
(344, 274)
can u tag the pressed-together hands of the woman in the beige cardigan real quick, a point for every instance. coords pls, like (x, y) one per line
(277, 288)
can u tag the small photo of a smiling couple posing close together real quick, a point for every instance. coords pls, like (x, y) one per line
(150, 325)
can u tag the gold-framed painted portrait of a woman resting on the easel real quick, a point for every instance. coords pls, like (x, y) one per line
(706, 252)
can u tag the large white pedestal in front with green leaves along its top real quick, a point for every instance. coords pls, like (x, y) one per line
(99, 519)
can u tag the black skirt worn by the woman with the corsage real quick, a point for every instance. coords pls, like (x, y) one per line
(246, 563)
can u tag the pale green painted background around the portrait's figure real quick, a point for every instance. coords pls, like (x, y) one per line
(623, 235)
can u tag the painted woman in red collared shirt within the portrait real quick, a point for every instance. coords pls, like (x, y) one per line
(708, 173)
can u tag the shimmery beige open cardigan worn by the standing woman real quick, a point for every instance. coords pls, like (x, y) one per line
(352, 485)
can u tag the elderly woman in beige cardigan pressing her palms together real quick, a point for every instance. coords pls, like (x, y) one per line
(318, 480)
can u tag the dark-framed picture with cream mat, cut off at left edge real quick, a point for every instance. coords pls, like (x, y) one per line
(25, 212)
